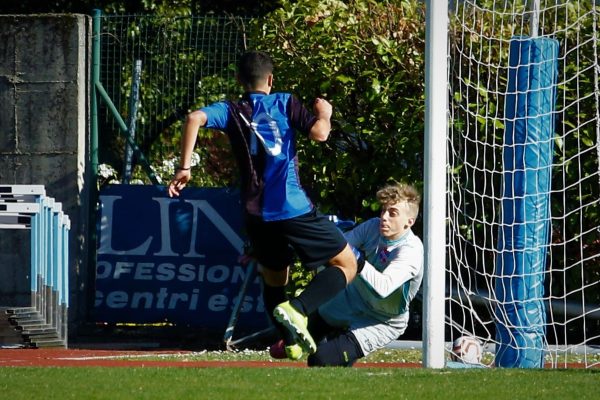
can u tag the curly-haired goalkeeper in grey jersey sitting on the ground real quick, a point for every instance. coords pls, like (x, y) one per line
(373, 310)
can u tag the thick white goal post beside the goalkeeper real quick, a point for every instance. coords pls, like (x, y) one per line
(435, 181)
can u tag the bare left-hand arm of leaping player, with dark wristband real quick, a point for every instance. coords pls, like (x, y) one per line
(193, 122)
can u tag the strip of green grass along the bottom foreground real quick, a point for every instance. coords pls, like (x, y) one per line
(295, 383)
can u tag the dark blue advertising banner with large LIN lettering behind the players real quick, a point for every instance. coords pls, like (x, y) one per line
(173, 260)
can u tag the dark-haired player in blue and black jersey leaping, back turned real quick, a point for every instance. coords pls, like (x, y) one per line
(280, 219)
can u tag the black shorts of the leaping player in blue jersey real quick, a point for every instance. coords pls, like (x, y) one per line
(313, 237)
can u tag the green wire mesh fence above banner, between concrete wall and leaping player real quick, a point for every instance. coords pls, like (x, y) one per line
(186, 62)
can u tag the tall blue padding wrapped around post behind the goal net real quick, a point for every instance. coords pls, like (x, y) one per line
(524, 232)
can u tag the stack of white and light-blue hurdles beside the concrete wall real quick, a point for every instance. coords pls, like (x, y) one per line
(45, 322)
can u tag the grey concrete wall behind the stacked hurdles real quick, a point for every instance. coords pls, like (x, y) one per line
(44, 138)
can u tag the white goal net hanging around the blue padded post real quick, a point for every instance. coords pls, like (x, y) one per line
(523, 181)
